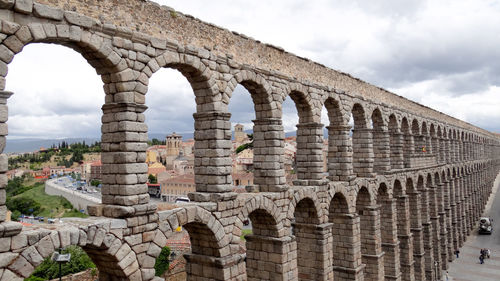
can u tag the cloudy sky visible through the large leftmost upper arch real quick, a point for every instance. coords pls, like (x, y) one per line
(56, 94)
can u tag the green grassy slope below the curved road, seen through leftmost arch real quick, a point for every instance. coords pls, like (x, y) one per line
(52, 206)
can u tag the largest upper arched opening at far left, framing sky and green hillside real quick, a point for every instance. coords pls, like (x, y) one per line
(54, 114)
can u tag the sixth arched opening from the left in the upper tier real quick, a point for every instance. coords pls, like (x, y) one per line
(362, 146)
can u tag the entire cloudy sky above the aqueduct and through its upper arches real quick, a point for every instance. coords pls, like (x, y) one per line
(443, 54)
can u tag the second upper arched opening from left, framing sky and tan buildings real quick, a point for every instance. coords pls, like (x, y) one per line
(170, 154)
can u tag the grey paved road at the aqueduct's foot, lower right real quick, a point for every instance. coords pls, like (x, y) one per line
(467, 267)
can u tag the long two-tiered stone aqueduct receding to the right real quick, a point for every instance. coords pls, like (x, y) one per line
(387, 210)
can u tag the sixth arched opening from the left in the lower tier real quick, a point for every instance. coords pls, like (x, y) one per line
(371, 247)
